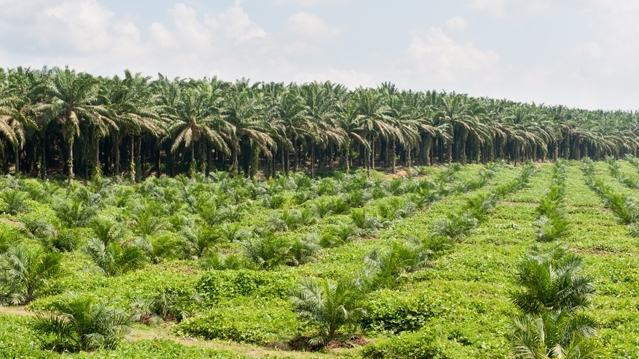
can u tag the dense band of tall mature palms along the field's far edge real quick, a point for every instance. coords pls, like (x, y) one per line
(59, 120)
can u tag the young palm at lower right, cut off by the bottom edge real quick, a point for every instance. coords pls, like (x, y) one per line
(555, 334)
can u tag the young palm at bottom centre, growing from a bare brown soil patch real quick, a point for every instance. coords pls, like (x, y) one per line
(328, 305)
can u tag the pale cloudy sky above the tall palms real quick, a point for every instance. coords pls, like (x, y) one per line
(578, 53)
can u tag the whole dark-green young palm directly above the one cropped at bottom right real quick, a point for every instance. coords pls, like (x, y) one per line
(552, 280)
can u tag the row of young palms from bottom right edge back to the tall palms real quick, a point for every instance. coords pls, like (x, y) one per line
(553, 295)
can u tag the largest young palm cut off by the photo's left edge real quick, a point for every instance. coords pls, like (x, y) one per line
(24, 272)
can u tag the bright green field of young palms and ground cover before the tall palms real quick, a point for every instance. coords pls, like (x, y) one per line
(431, 265)
